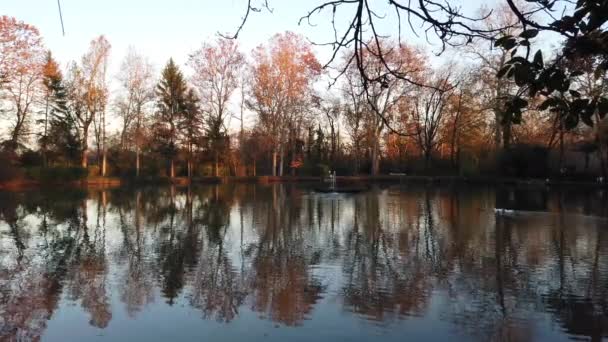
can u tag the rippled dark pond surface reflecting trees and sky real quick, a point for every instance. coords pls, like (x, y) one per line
(281, 263)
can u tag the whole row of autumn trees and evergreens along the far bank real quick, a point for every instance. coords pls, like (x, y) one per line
(464, 116)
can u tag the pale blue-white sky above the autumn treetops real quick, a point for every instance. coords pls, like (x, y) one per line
(160, 29)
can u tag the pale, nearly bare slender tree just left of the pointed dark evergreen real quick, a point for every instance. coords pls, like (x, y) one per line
(135, 78)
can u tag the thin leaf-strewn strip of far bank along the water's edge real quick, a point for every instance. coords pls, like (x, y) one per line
(112, 182)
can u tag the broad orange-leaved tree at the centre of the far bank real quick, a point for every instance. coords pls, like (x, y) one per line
(283, 73)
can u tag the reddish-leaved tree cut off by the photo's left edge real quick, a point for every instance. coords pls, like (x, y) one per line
(21, 62)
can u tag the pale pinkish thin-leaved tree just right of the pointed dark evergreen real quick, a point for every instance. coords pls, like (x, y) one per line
(217, 68)
